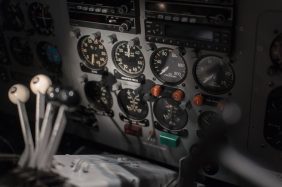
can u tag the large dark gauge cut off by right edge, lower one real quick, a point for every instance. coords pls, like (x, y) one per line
(273, 119)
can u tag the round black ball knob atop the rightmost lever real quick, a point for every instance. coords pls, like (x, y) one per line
(69, 97)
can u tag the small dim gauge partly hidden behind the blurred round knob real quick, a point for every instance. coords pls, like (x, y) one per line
(207, 119)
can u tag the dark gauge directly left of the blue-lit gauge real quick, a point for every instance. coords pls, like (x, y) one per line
(21, 51)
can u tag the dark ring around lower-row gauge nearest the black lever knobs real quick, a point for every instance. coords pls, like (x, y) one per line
(93, 103)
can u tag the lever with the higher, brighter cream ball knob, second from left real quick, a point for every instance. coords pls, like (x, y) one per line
(39, 85)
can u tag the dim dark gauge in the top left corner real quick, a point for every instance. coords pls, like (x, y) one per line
(14, 17)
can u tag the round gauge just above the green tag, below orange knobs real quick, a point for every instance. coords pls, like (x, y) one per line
(169, 114)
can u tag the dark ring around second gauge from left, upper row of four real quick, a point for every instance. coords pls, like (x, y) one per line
(119, 68)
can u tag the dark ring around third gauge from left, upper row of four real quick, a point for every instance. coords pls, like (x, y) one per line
(156, 74)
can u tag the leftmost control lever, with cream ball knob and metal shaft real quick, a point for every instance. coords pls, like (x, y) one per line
(19, 95)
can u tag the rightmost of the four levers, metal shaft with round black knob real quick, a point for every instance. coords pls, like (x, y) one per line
(68, 99)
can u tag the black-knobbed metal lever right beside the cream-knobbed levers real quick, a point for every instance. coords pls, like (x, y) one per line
(52, 97)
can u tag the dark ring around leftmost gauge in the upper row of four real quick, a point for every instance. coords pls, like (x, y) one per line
(87, 64)
